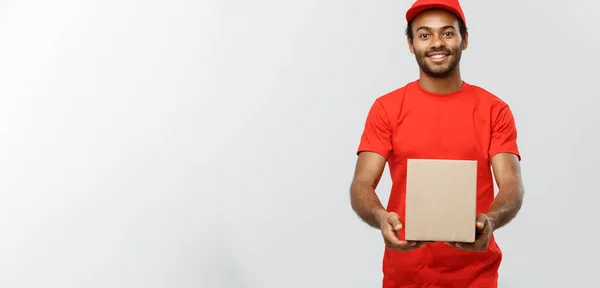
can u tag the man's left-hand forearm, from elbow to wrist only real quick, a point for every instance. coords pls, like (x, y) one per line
(366, 204)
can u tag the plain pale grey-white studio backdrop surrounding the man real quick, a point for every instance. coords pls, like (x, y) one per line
(211, 144)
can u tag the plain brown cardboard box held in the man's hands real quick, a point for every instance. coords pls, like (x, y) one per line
(441, 198)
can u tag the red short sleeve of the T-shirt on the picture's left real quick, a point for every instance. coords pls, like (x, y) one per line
(377, 133)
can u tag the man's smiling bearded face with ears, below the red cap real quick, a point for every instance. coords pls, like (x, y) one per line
(437, 43)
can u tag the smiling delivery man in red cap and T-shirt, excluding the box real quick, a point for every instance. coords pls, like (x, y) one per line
(438, 116)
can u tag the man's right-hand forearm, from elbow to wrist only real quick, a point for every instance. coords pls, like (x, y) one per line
(506, 205)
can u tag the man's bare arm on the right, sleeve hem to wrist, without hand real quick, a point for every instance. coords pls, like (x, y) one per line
(506, 205)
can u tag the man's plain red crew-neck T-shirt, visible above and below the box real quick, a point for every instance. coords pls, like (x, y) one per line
(469, 124)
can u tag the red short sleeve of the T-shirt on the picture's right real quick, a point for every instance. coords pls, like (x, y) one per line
(504, 134)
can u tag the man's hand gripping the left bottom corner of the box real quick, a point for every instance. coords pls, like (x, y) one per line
(390, 225)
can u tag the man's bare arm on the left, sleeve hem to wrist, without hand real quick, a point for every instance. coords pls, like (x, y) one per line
(364, 200)
